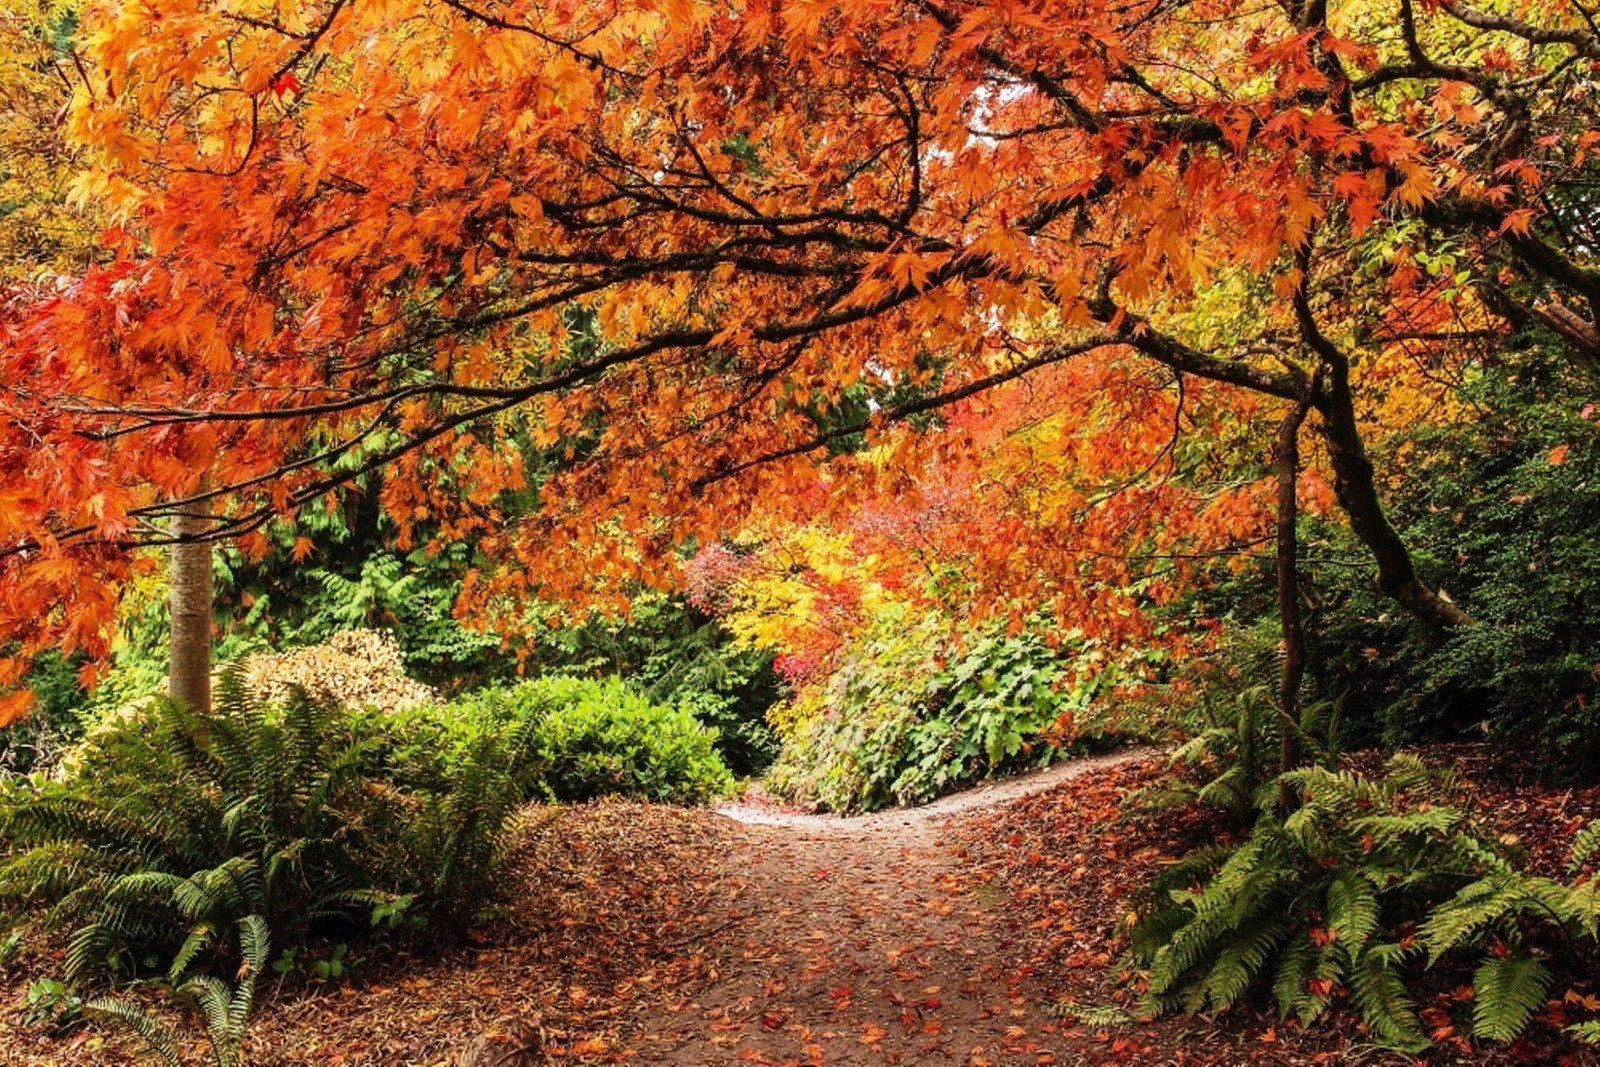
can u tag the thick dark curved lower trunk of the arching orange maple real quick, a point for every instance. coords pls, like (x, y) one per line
(1358, 490)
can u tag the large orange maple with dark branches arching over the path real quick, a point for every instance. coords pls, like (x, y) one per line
(652, 246)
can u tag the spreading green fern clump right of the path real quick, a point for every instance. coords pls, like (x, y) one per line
(1326, 900)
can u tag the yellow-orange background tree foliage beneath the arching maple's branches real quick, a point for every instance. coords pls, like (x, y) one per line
(1095, 492)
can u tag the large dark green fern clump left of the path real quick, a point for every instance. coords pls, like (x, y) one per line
(177, 825)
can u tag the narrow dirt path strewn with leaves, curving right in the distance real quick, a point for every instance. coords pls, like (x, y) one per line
(862, 941)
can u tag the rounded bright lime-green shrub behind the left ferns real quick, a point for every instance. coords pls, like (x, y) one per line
(591, 738)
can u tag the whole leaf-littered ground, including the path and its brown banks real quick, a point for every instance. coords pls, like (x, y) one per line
(982, 930)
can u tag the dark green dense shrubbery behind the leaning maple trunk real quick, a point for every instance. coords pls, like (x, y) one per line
(1502, 513)
